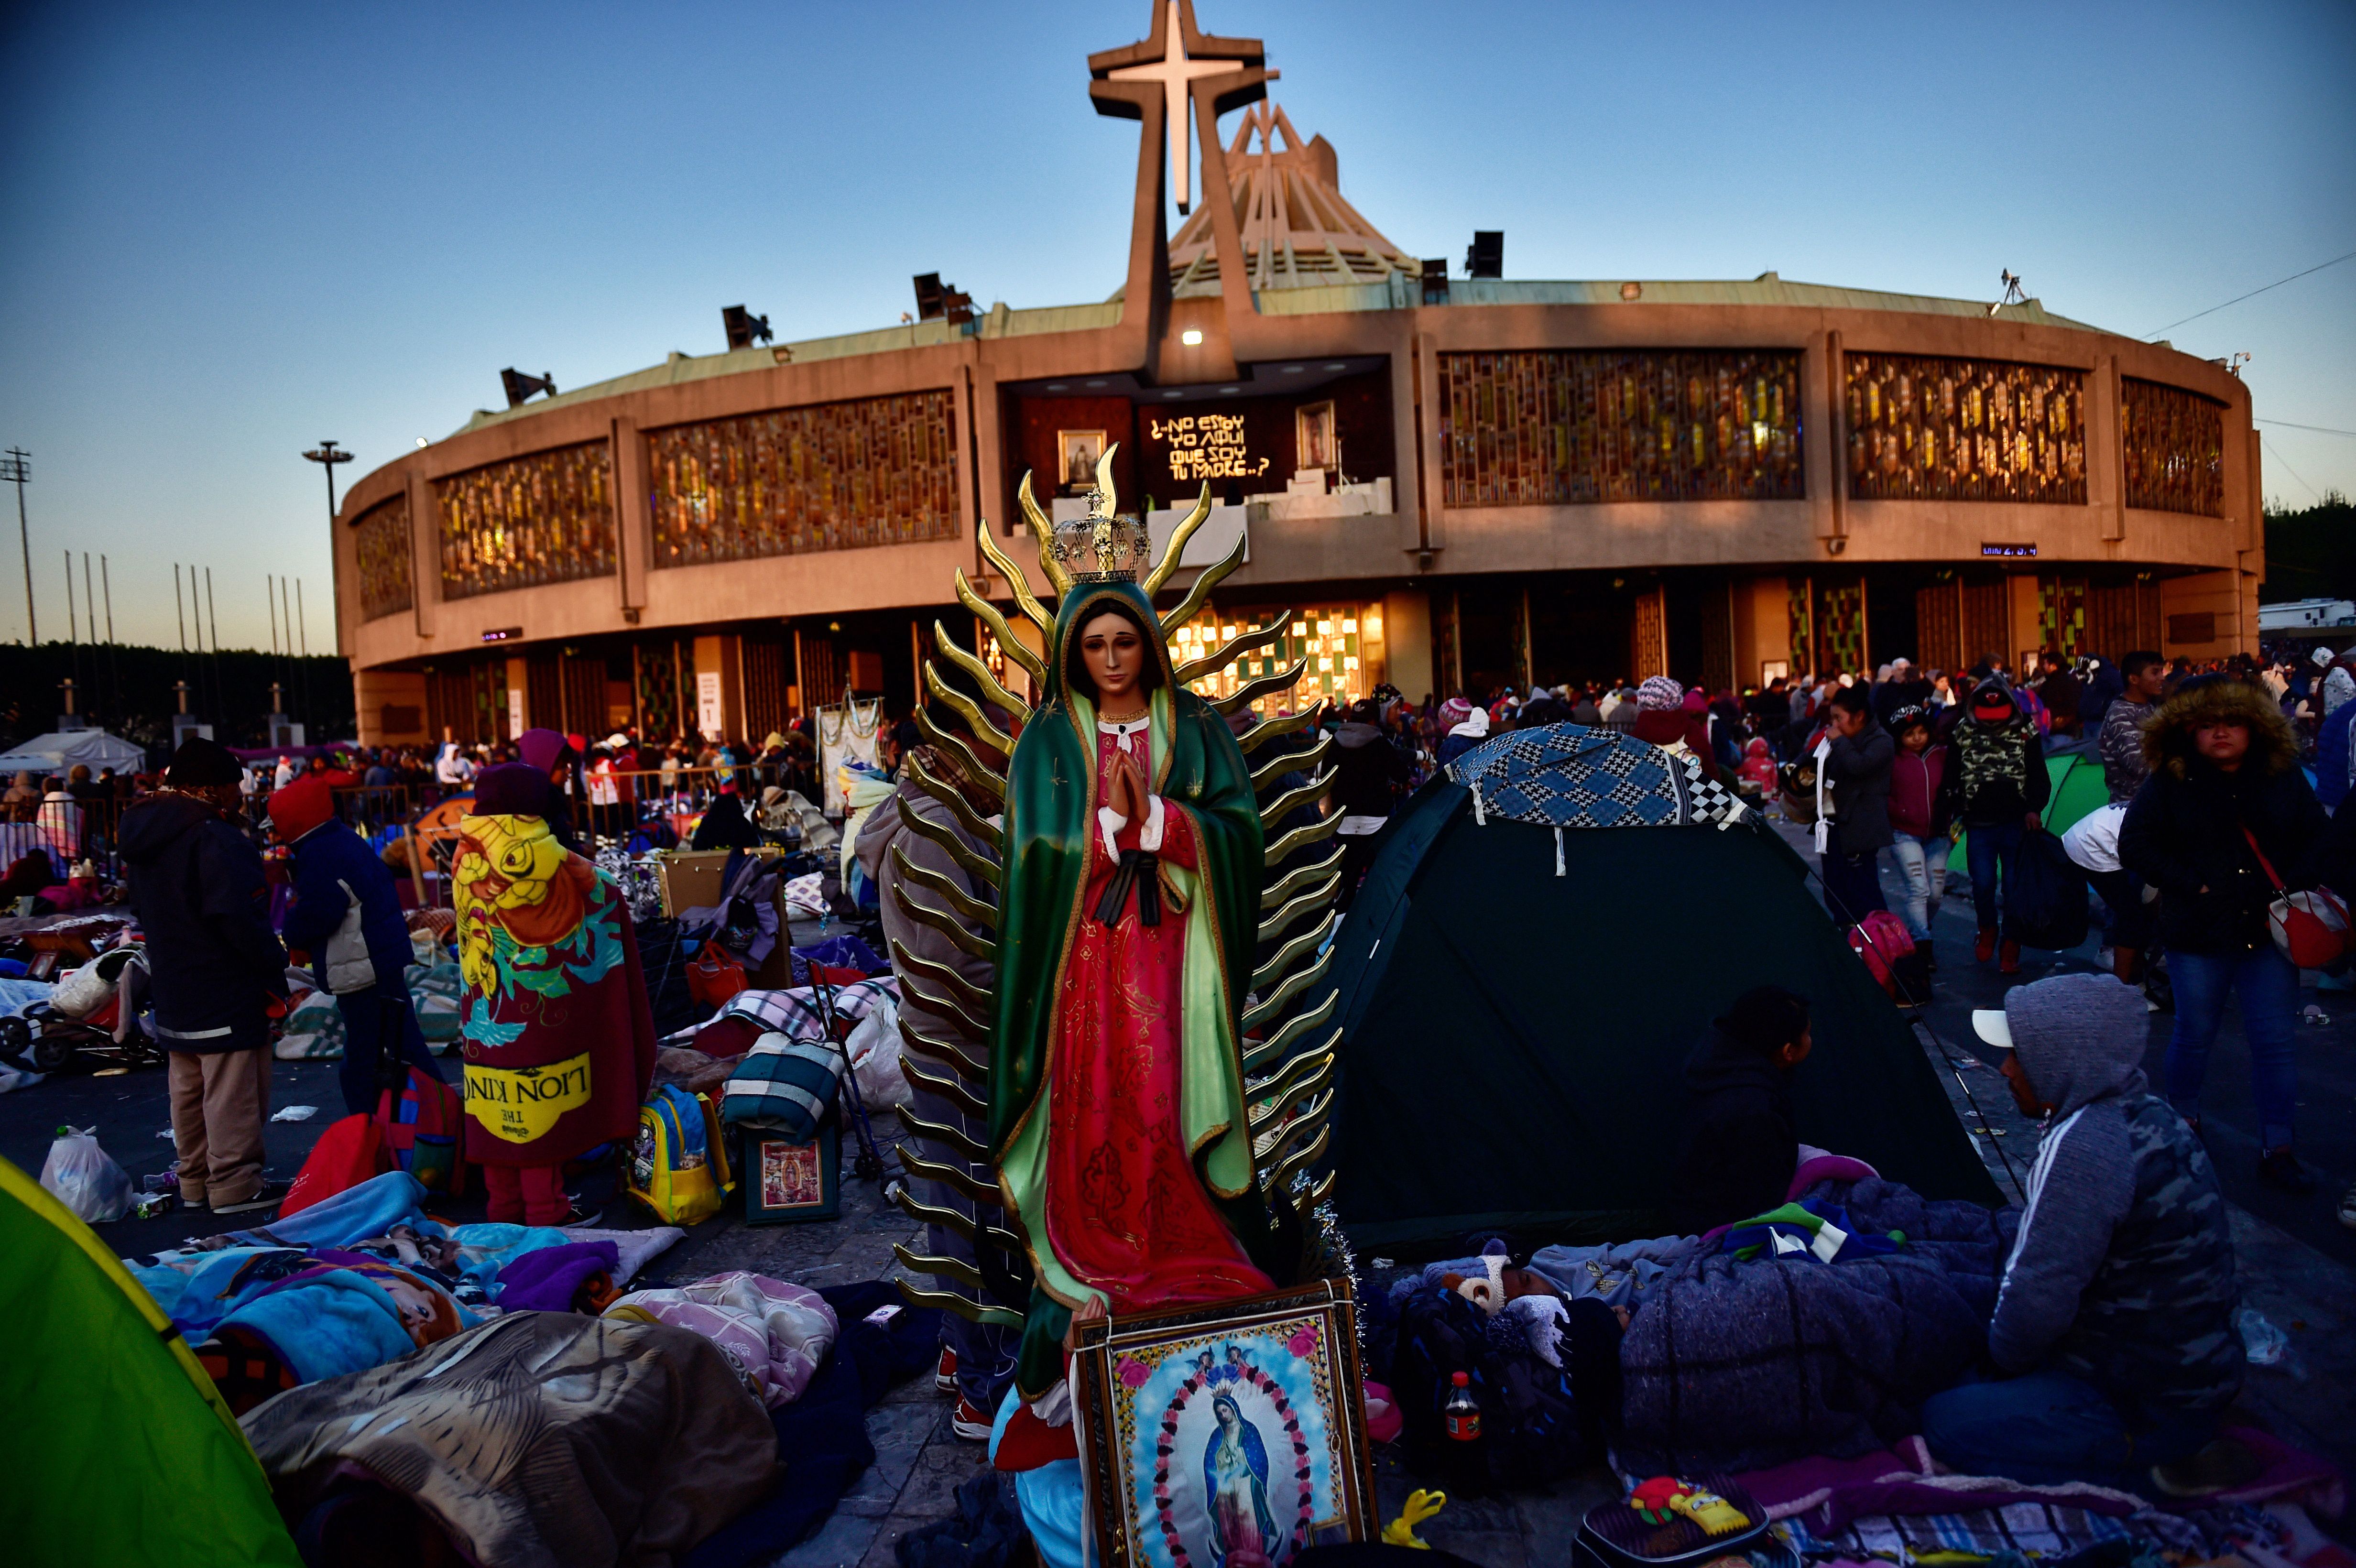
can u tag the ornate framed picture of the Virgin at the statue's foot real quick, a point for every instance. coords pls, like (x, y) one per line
(1226, 1437)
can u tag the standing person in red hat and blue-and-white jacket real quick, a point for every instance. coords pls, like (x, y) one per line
(348, 919)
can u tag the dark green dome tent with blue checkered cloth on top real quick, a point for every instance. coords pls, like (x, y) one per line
(1540, 943)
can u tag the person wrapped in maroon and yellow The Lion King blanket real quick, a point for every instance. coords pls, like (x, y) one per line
(557, 1035)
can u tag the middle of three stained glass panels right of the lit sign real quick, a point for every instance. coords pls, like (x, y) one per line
(1928, 430)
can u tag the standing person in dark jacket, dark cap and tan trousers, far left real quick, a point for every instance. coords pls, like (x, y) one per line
(216, 974)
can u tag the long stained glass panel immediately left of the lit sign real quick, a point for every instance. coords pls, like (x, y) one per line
(807, 479)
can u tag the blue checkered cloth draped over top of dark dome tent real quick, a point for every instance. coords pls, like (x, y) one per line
(1575, 776)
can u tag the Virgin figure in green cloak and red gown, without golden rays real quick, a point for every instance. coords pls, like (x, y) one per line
(1118, 1112)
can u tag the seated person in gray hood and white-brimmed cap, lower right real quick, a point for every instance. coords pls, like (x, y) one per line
(2115, 1322)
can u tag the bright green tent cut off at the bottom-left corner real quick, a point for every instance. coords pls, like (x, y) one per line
(119, 1447)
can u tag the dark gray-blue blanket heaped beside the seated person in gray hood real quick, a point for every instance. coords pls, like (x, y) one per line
(1749, 1364)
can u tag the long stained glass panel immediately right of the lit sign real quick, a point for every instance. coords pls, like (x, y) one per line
(1558, 427)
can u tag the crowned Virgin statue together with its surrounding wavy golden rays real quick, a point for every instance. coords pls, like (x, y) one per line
(1156, 1103)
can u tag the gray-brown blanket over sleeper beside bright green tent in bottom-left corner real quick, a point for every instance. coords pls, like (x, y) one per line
(541, 1440)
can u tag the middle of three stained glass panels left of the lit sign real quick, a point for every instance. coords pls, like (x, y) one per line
(529, 521)
